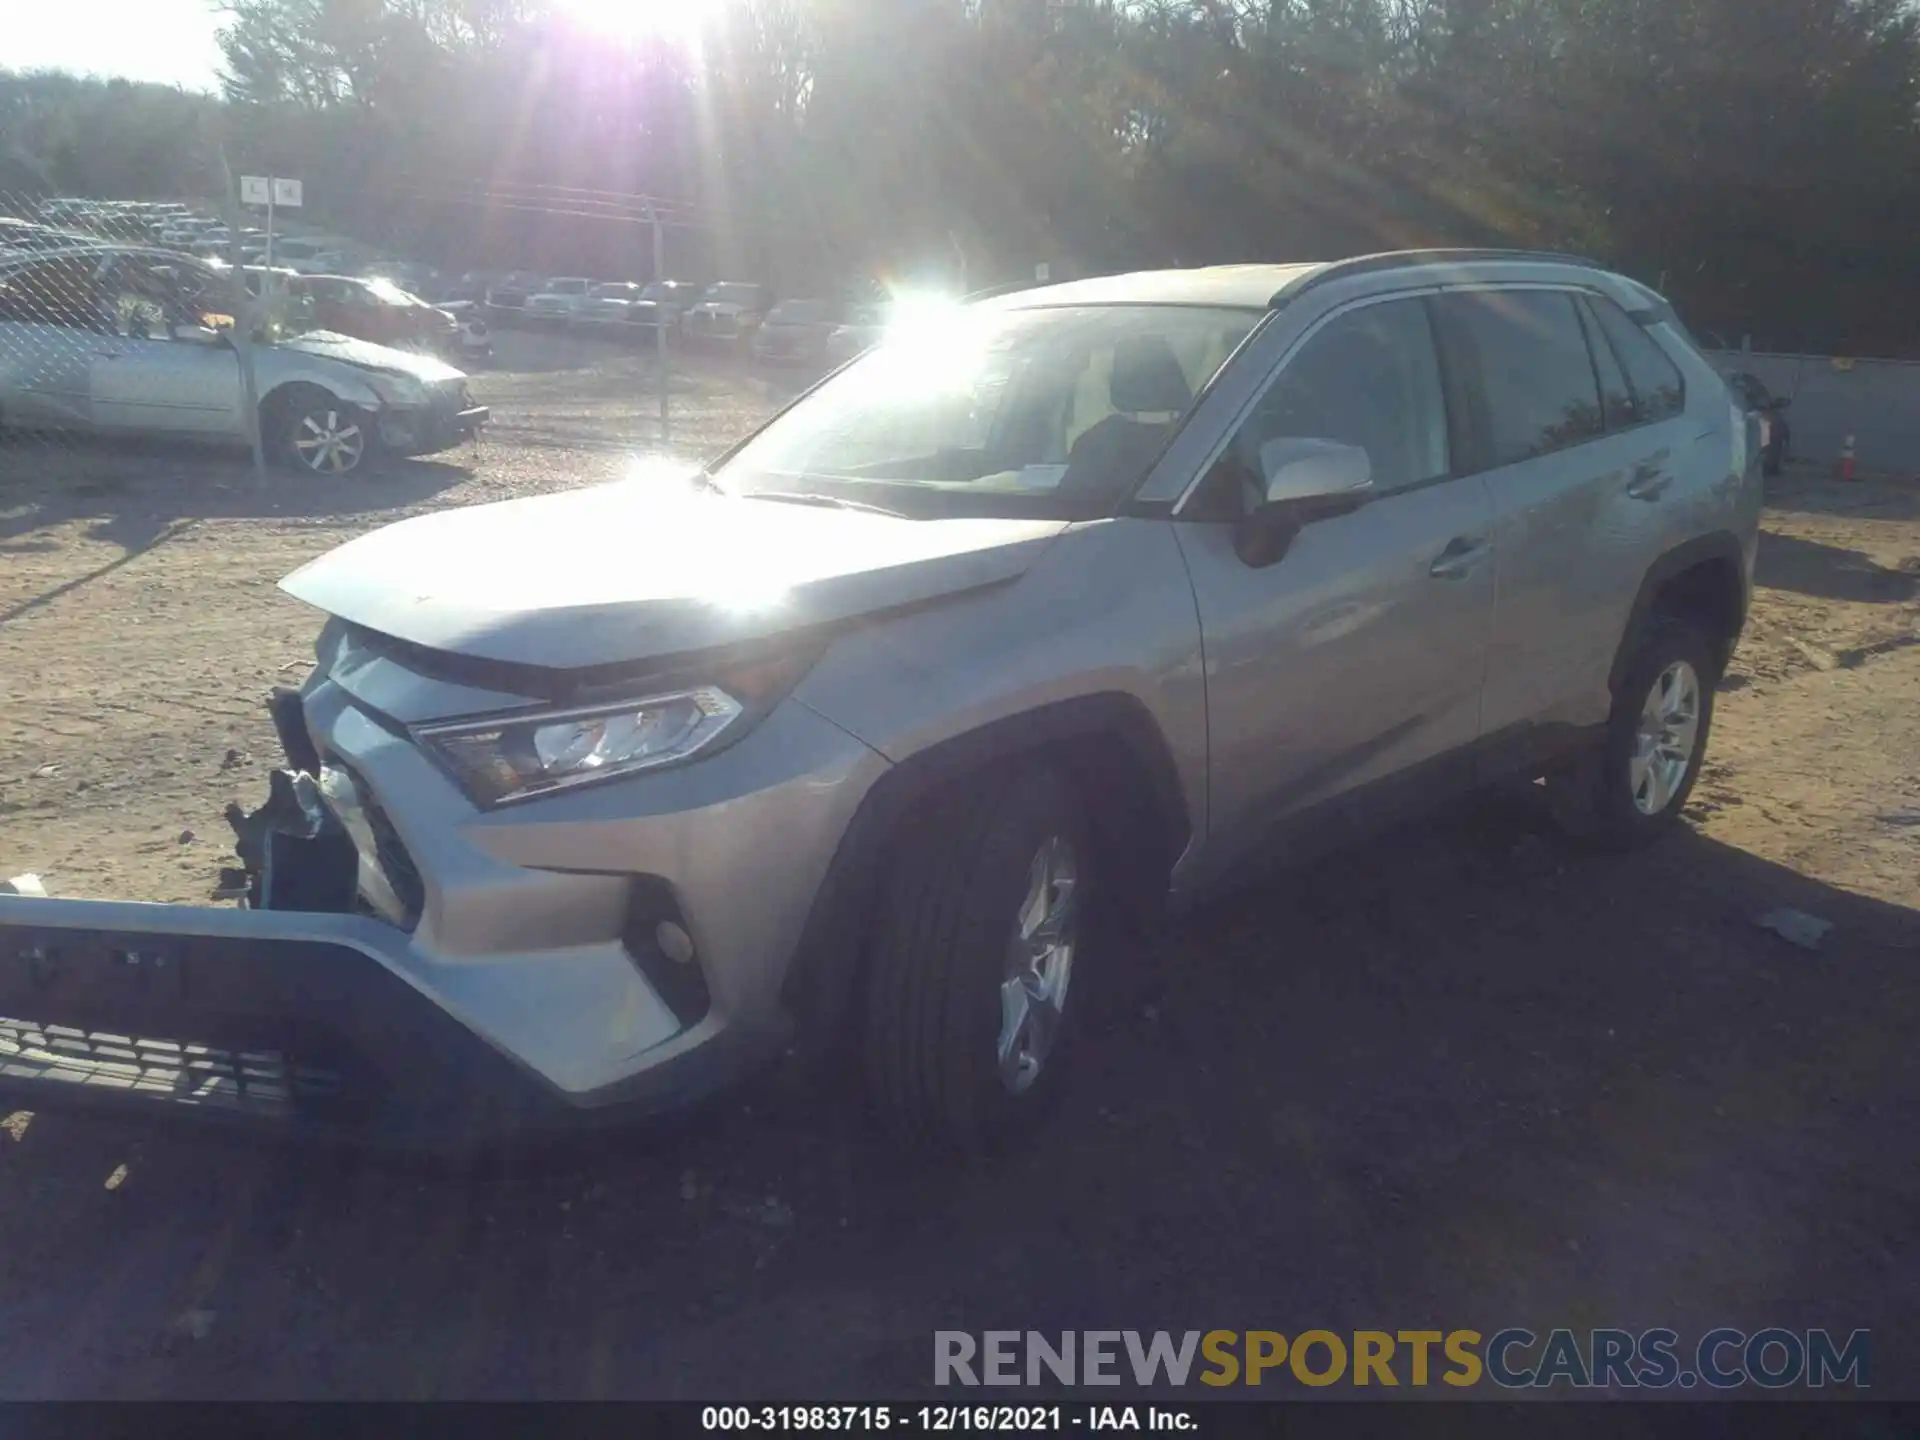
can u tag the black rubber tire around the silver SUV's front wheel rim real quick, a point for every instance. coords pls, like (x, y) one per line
(940, 953)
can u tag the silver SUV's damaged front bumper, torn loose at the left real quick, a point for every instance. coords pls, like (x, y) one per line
(414, 972)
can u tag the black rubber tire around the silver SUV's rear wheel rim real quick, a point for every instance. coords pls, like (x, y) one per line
(1595, 798)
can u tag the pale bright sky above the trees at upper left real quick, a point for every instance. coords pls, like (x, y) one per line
(168, 41)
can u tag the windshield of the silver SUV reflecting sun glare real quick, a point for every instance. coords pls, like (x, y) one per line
(997, 414)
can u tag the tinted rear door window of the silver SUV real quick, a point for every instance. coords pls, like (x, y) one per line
(1535, 370)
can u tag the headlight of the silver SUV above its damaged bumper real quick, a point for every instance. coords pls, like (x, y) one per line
(516, 757)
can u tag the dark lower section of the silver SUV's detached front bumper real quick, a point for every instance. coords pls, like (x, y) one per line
(272, 1020)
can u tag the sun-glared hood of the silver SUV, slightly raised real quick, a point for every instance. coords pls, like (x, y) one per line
(636, 571)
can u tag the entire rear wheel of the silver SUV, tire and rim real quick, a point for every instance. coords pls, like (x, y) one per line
(1633, 786)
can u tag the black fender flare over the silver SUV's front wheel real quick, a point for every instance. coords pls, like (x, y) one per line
(827, 963)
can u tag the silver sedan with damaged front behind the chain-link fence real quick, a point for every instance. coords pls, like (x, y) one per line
(139, 343)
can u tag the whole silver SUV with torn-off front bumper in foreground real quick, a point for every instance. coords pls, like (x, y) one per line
(890, 729)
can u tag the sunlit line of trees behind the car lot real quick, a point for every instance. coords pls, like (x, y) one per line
(1756, 158)
